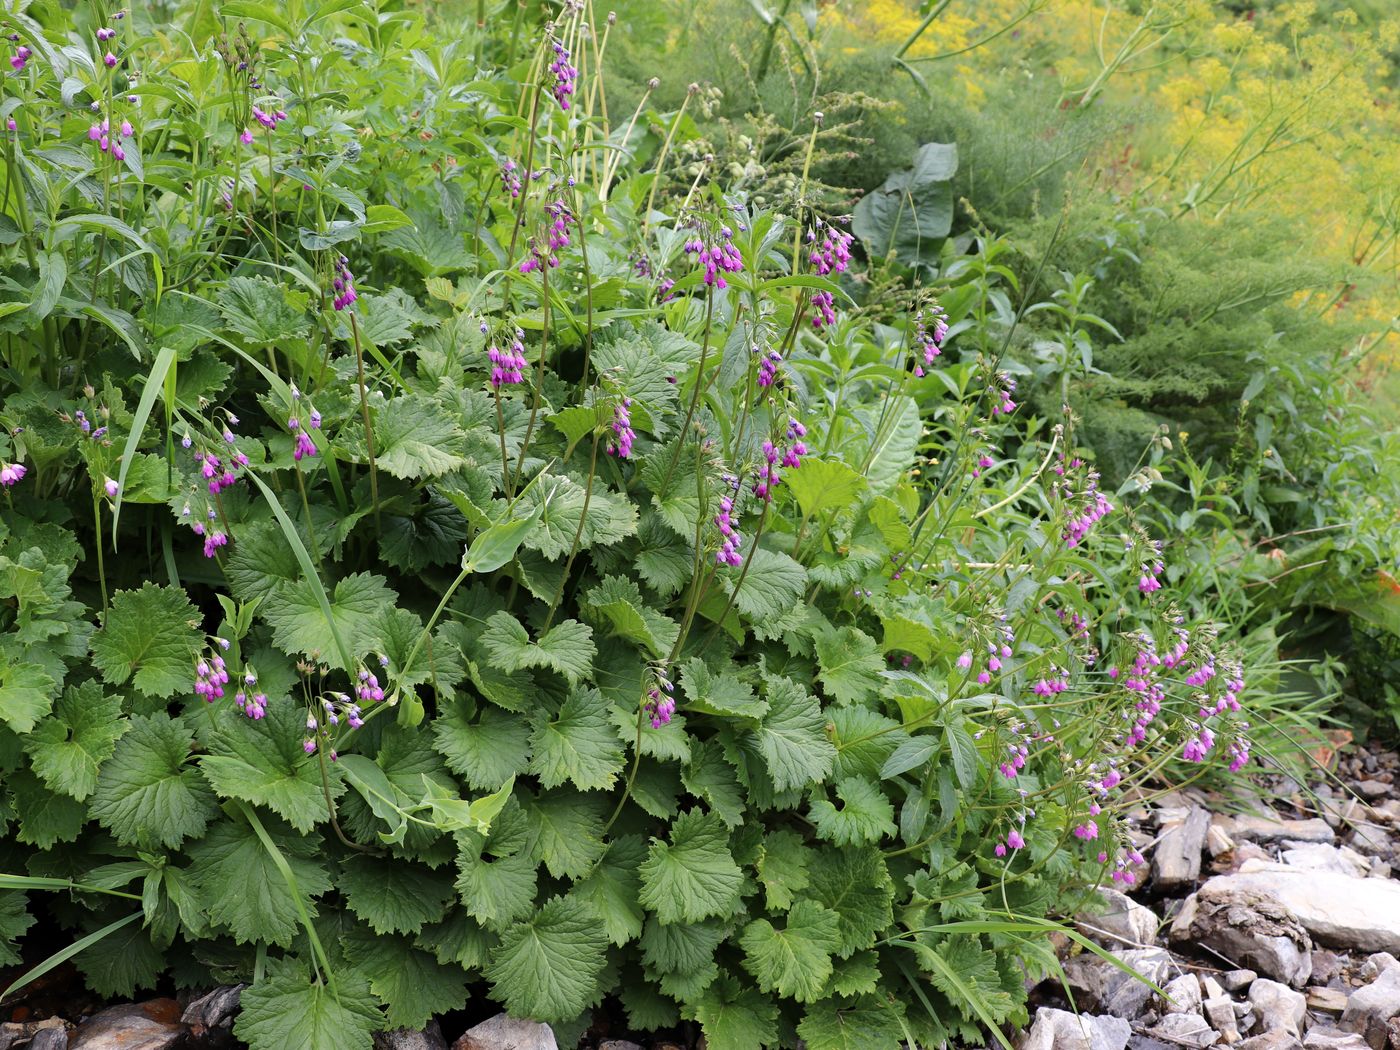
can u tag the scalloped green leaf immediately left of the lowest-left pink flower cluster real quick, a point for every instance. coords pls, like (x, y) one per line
(150, 638)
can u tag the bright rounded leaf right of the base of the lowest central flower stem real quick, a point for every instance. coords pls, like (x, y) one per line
(695, 876)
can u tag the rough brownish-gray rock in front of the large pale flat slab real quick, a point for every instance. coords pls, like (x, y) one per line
(1249, 927)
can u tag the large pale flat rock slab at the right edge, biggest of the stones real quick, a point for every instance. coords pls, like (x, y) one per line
(1361, 915)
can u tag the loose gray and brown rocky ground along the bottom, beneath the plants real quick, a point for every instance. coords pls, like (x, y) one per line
(1269, 927)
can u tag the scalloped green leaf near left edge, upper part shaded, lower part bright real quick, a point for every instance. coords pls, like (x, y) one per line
(69, 750)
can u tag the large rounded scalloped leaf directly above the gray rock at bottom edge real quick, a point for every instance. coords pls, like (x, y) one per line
(547, 968)
